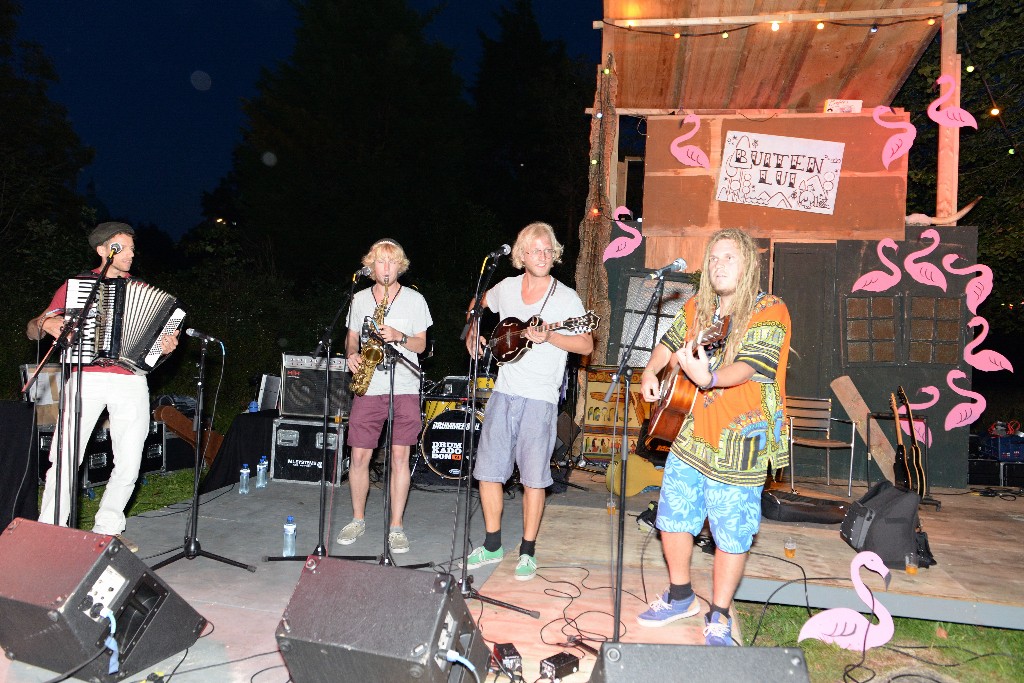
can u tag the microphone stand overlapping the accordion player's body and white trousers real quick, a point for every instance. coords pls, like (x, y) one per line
(71, 332)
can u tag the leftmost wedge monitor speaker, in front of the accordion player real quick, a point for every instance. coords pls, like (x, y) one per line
(56, 581)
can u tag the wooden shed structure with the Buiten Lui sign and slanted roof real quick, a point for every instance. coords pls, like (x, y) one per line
(779, 97)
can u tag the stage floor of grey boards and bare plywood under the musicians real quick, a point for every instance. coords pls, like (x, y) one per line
(976, 540)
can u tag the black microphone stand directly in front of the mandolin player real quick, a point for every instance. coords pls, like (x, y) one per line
(470, 451)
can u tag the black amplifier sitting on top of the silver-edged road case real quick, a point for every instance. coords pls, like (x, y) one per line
(303, 379)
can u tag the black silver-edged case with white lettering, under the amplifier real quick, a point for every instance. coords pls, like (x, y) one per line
(297, 452)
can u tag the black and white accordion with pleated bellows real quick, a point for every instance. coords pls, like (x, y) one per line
(125, 325)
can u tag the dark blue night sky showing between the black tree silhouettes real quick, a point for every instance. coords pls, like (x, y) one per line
(155, 89)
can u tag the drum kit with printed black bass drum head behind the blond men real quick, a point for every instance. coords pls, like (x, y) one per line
(450, 422)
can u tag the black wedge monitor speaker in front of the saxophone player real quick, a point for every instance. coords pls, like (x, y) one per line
(353, 622)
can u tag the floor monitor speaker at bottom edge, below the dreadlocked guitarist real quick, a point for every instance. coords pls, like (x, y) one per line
(626, 663)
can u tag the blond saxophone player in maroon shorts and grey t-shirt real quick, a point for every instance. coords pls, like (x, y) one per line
(399, 316)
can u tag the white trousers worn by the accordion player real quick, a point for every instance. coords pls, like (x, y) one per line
(126, 399)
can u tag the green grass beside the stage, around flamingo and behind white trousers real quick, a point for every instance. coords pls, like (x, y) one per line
(919, 652)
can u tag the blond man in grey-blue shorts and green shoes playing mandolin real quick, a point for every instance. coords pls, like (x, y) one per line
(521, 424)
